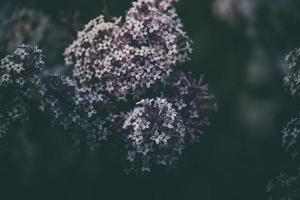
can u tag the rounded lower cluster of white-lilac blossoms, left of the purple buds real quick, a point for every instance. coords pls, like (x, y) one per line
(155, 135)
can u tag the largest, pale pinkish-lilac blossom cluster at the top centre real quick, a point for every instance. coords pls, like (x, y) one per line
(121, 57)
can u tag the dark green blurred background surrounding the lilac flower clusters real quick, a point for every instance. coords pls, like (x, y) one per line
(240, 47)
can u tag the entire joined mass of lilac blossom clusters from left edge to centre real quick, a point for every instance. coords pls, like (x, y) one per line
(121, 85)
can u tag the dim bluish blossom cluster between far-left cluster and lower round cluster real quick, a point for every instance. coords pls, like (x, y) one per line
(72, 110)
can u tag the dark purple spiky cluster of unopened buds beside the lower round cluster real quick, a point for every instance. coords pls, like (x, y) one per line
(193, 102)
